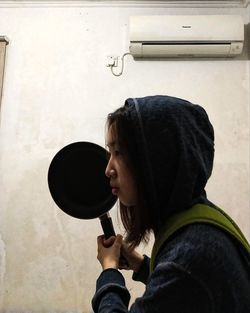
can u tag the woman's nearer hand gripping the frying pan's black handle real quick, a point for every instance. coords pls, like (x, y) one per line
(109, 251)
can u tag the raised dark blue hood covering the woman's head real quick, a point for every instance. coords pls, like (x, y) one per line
(175, 147)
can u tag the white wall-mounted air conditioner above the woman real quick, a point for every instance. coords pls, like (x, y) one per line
(186, 36)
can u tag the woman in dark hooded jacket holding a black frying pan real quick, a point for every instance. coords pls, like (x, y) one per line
(161, 156)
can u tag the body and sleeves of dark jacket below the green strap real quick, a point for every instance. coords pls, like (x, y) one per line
(198, 271)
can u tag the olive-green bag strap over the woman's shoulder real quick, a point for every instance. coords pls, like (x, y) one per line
(199, 213)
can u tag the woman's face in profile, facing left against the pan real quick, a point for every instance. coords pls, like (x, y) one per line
(121, 180)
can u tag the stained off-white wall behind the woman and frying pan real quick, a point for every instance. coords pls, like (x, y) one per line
(57, 90)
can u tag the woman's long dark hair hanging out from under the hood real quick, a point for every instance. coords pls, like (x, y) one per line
(137, 220)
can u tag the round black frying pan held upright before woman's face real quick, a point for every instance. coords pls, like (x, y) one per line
(78, 184)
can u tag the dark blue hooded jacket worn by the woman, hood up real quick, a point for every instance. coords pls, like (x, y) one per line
(200, 269)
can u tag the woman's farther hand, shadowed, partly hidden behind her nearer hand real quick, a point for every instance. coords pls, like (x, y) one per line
(131, 259)
